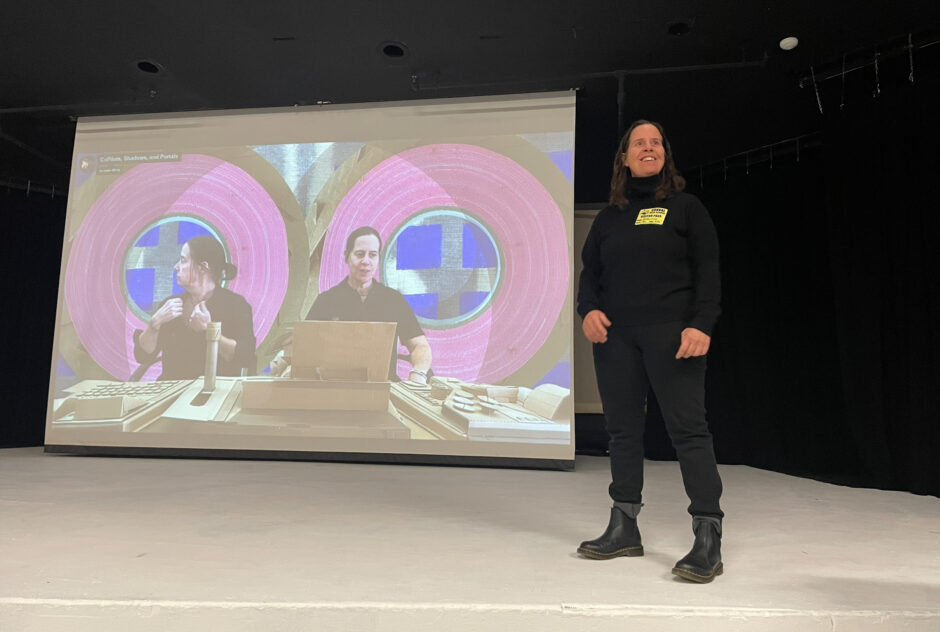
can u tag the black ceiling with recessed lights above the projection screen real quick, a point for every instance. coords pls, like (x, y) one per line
(720, 86)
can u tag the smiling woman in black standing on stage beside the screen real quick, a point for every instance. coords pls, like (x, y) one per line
(649, 295)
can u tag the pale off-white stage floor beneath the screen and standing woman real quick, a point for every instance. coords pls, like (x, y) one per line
(127, 544)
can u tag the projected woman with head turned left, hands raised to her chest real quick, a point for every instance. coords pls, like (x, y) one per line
(176, 331)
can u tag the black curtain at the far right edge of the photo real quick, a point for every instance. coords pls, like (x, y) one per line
(883, 222)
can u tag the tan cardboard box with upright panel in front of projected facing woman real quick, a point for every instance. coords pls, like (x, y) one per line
(335, 365)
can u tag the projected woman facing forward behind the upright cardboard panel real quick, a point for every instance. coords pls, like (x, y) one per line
(360, 297)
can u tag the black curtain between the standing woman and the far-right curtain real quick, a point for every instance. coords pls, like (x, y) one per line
(774, 391)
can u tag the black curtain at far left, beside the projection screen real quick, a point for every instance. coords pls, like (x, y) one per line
(31, 256)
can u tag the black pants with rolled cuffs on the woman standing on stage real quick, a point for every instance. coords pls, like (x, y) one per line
(632, 360)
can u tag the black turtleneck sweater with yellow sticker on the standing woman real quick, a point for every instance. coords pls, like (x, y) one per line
(655, 261)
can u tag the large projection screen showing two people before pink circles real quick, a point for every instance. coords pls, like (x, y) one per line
(362, 282)
